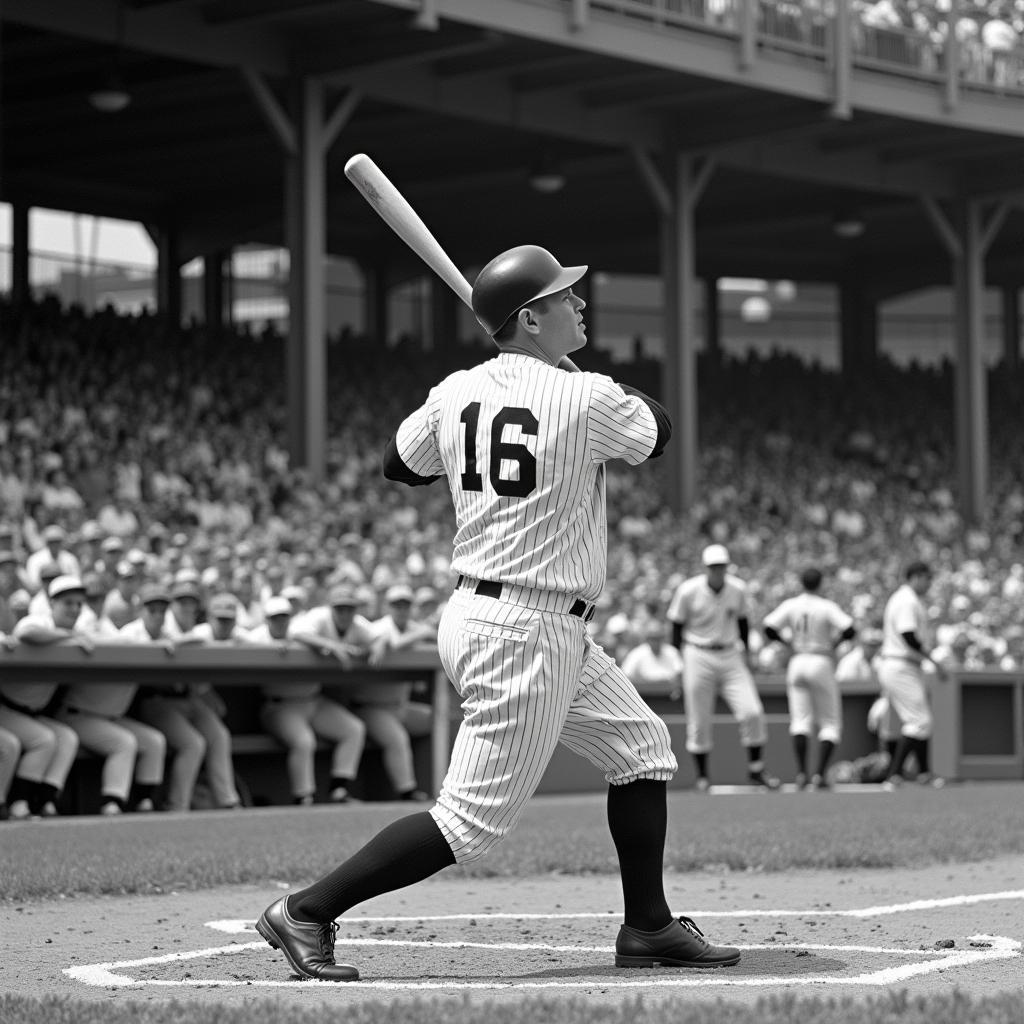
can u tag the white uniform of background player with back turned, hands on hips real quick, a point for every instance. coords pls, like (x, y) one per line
(813, 625)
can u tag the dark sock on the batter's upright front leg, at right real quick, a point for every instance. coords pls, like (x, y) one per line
(638, 819)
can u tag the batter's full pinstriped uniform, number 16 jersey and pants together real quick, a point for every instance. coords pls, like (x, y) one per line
(524, 447)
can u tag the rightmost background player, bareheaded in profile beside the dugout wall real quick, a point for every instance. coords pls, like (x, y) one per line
(906, 644)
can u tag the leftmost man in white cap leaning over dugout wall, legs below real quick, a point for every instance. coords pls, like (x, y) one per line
(49, 747)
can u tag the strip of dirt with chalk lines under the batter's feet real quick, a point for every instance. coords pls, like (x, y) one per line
(838, 933)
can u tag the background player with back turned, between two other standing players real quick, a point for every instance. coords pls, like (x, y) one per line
(813, 627)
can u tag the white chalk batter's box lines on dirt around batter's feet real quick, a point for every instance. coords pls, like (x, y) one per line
(991, 948)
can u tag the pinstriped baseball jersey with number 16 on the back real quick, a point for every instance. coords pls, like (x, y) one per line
(524, 446)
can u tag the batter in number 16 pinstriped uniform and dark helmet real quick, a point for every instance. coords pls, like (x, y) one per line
(523, 441)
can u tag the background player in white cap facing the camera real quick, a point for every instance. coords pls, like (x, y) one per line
(710, 622)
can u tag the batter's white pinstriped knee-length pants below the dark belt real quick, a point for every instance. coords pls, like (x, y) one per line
(530, 680)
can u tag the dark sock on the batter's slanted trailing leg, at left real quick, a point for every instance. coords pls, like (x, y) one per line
(408, 850)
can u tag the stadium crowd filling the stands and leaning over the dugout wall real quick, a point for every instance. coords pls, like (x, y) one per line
(149, 471)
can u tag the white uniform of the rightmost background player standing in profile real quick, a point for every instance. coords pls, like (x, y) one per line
(901, 673)
